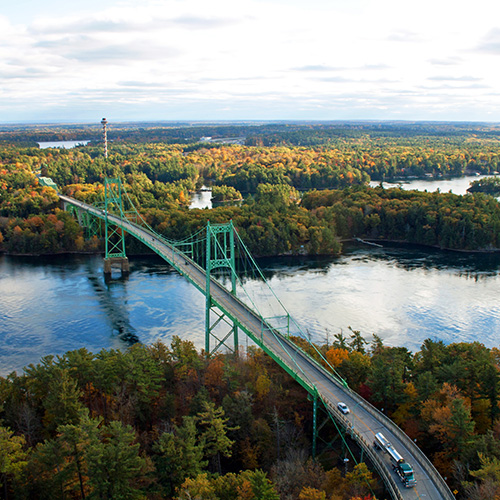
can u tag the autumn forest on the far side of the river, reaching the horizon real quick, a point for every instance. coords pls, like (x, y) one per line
(284, 198)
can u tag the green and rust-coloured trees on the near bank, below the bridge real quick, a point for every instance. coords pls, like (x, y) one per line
(140, 423)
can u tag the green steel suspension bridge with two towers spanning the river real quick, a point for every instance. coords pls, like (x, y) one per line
(200, 260)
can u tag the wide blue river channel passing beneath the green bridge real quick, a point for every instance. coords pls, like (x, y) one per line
(403, 294)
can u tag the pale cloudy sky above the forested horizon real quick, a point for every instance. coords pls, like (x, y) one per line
(209, 60)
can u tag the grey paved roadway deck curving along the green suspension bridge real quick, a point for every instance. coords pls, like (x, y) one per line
(363, 421)
